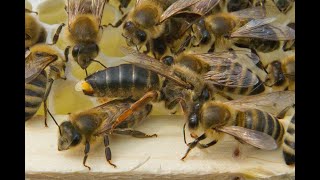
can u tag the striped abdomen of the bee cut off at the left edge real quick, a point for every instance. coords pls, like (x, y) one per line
(34, 94)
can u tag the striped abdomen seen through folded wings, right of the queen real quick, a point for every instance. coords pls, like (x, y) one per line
(244, 81)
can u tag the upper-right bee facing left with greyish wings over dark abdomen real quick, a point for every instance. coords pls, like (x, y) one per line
(248, 27)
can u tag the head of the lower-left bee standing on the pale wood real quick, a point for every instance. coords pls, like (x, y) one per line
(69, 136)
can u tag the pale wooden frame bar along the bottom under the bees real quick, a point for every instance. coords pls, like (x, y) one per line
(147, 158)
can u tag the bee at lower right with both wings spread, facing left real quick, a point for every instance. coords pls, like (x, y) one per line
(252, 120)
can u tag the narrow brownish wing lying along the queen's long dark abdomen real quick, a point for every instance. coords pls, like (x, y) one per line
(152, 64)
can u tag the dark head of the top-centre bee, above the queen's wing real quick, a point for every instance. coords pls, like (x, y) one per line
(134, 35)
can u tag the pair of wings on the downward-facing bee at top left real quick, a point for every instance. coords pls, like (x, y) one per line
(76, 7)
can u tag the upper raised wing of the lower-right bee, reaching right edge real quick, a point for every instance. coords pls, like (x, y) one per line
(273, 103)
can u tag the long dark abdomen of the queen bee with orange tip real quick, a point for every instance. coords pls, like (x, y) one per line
(125, 80)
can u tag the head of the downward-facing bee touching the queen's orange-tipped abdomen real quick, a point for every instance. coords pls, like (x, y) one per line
(83, 53)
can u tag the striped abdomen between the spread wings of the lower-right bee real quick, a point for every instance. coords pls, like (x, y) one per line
(261, 121)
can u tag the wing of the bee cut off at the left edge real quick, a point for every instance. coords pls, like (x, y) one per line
(33, 67)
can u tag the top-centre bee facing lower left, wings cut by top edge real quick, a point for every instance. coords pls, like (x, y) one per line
(149, 23)
